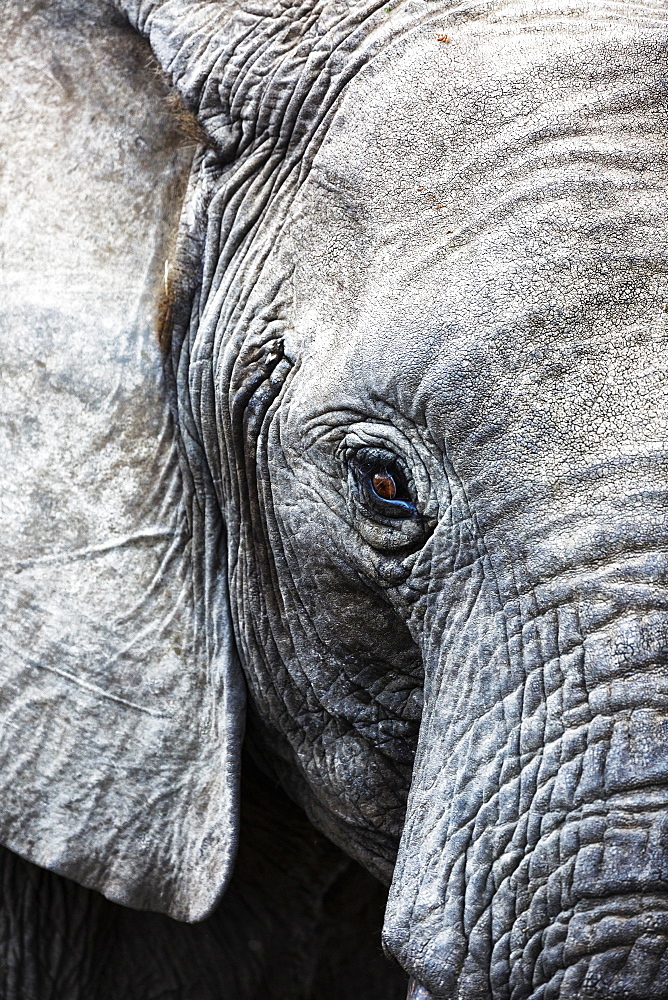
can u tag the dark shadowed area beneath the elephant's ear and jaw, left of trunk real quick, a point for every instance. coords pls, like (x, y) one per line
(298, 920)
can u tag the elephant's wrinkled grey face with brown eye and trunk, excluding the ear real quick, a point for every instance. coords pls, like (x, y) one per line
(476, 327)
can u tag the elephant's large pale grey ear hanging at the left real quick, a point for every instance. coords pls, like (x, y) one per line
(121, 700)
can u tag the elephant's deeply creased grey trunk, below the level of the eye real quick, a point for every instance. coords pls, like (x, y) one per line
(534, 859)
